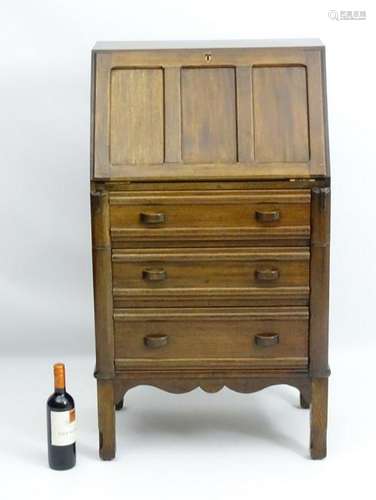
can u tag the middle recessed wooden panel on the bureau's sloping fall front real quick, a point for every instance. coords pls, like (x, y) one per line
(208, 115)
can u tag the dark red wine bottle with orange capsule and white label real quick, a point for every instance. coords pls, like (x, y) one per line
(61, 424)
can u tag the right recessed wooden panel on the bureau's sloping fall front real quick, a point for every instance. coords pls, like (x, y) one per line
(280, 114)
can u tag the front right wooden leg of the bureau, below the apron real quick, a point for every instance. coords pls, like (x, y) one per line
(319, 415)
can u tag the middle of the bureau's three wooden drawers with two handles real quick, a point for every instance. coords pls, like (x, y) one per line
(231, 276)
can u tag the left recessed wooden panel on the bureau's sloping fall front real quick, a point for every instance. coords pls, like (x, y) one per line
(137, 116)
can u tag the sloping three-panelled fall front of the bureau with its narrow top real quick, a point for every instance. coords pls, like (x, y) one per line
(209, 110)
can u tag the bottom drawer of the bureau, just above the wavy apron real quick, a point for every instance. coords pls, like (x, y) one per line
(211, 337)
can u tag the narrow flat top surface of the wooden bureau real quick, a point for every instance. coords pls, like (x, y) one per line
(108, 46)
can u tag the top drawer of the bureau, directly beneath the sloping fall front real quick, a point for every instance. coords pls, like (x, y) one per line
(254, 216)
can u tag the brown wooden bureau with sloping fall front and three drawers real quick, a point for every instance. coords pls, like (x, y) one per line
(210, 221)
